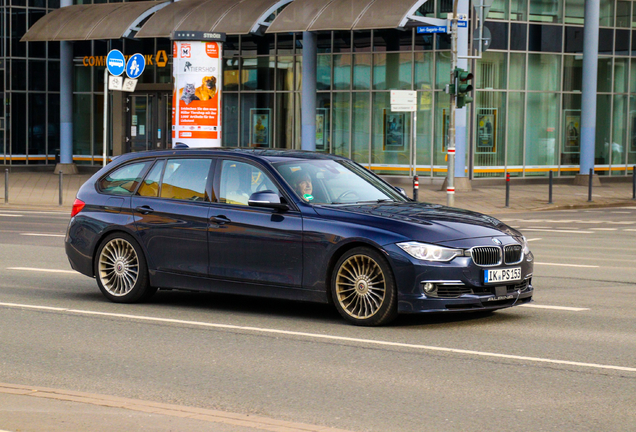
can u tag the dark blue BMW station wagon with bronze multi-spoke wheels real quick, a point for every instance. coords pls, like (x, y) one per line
(289, 224)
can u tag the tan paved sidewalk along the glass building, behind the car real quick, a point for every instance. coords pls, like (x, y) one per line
(40, 190)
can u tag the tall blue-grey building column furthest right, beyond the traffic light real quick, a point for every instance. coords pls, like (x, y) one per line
(588, 99)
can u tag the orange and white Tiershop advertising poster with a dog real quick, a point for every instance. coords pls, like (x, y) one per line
(196, 111)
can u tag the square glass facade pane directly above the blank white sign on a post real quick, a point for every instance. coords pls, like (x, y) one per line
(392, 71)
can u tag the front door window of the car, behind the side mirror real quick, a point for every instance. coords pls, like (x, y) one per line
(239, 180)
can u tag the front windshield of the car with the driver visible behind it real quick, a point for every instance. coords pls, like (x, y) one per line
(335, 182)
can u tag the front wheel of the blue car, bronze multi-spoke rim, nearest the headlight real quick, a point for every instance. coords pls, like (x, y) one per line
(363, 288)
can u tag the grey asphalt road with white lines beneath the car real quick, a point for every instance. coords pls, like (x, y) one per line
(566, 362)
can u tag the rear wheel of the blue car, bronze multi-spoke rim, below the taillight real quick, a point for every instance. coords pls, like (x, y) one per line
(121, 270)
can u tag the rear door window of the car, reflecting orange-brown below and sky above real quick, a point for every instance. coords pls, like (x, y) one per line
(185, 179)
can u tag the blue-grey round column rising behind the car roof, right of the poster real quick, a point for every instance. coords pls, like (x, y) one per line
(308, 95)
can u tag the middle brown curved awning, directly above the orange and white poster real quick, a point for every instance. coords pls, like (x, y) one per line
(222, 16)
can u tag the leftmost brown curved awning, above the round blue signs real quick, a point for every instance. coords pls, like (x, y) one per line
(97, 21)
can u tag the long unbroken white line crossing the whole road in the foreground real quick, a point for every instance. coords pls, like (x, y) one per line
(326, 337)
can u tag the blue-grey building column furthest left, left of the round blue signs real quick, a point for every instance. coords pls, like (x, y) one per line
(66, 164)
